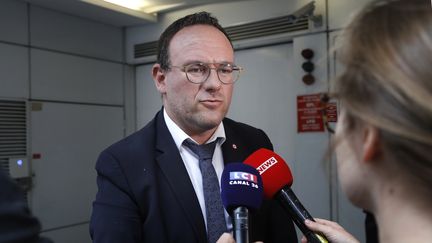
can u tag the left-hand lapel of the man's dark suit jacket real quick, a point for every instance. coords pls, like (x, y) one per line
(172, 166)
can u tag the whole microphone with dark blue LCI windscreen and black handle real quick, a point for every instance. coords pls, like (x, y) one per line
(241, 191)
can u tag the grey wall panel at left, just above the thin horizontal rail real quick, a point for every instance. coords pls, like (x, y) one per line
(61, 77)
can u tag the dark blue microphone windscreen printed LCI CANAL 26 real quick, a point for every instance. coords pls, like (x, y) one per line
(241, 186)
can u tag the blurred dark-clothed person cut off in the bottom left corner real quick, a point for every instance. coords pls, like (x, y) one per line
(16, 222)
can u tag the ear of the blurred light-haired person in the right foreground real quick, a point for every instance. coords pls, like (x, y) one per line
(371, 144)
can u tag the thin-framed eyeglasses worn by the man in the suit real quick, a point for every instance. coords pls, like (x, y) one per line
(198, 73)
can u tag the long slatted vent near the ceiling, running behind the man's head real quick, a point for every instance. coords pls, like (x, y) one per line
(268, 27)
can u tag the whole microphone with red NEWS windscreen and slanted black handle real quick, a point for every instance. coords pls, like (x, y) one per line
(277, 179)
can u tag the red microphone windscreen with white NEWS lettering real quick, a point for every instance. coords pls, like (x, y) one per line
(274, 171)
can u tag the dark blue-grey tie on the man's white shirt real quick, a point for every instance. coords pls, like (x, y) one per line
(216, 225)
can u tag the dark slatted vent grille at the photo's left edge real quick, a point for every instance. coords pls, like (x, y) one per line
(13, 129)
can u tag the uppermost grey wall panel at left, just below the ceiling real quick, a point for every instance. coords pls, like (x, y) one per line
(54, 30)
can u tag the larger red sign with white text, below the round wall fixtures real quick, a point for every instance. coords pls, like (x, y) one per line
(309, 117)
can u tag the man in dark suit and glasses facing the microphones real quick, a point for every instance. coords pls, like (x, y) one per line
(150, 183)
